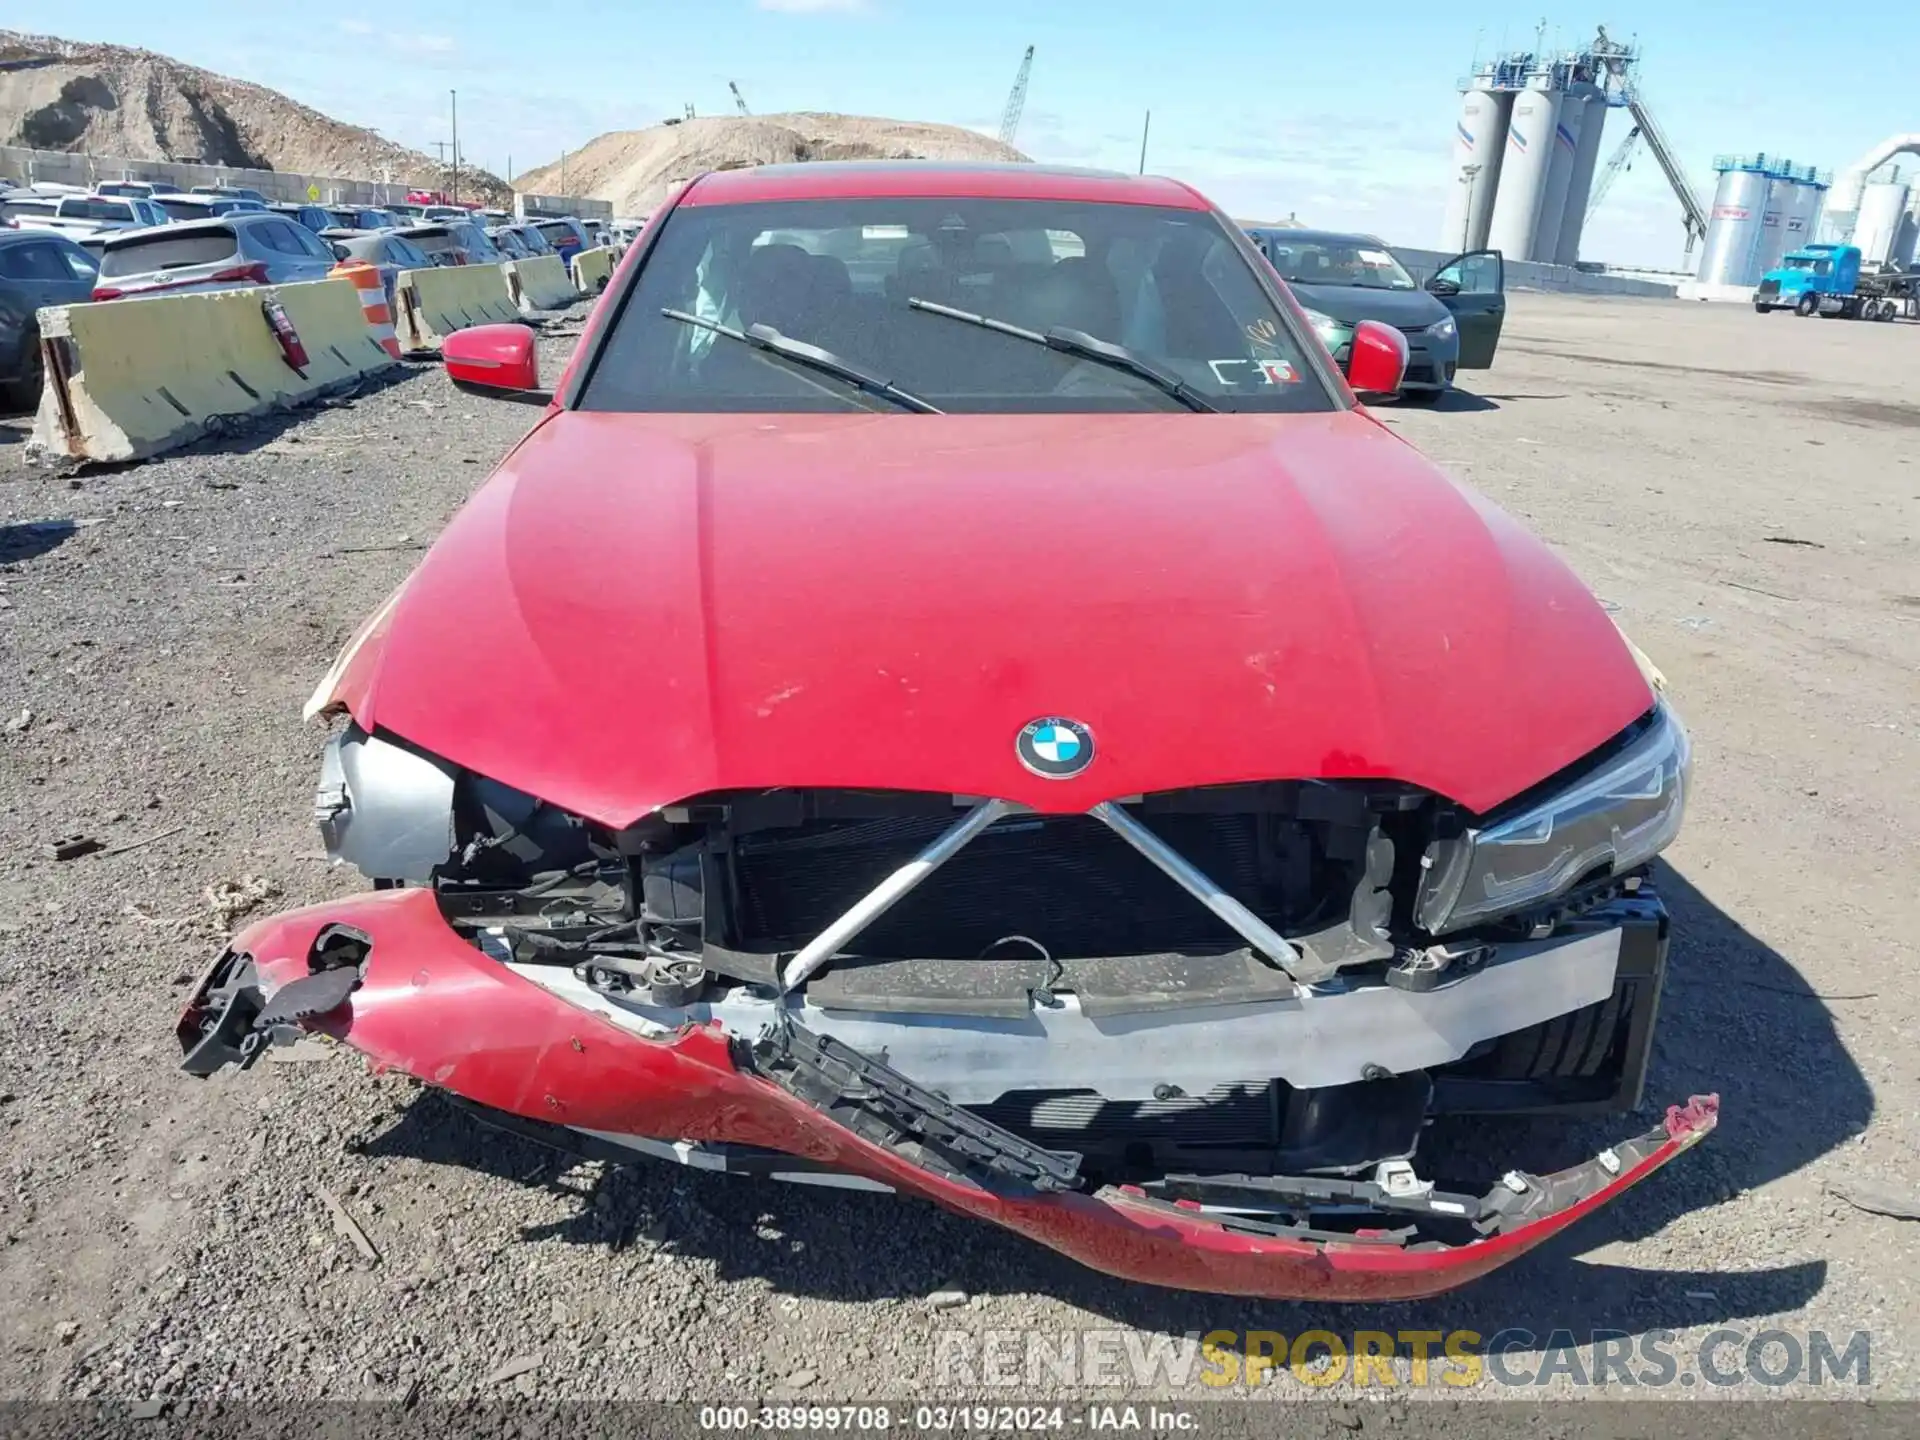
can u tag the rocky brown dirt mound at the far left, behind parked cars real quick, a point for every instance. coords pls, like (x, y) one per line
(110, 101)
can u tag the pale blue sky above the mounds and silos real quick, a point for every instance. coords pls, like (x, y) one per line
(1341, 114)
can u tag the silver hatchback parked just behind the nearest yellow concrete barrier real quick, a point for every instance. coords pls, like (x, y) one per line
(235, 251)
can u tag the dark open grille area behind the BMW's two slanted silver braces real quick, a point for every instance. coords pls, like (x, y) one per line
(1065, 882)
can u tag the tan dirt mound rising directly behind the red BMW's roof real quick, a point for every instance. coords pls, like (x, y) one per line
(635, 170)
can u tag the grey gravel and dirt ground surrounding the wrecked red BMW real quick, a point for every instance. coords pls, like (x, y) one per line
(1744, 492)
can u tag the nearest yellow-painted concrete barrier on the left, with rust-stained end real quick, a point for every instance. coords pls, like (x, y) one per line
(130, 379)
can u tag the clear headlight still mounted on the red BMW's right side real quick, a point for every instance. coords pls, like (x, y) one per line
(1608, 819)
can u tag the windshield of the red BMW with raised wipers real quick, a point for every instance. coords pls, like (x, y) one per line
(1168, 285)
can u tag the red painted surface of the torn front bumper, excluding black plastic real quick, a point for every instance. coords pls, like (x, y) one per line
(441, 1011)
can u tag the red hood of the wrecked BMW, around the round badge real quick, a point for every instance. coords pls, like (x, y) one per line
(644, 608)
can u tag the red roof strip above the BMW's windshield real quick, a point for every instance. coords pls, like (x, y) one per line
(853, 180)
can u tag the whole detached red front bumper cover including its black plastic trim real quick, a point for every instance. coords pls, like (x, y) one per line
(435, 1007)
